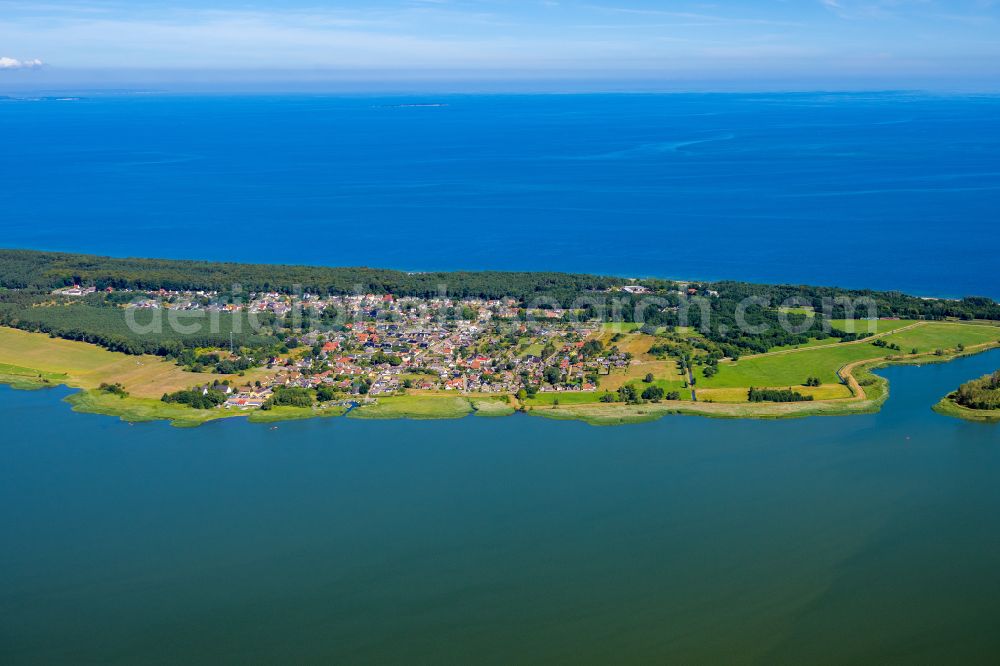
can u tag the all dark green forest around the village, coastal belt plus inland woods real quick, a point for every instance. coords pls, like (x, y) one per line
(736, 318)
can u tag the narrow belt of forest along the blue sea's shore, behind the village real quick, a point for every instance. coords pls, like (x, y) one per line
(31, 269)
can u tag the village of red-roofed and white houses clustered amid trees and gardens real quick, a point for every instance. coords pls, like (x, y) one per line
(360, 347)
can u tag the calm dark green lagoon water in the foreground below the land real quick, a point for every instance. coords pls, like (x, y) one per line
(866, 539)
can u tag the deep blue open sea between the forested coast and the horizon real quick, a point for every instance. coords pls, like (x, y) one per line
(890, 191)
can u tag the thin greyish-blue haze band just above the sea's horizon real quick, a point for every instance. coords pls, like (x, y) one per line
(319, 81)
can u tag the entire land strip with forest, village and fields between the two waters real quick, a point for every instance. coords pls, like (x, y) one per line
(535, 343)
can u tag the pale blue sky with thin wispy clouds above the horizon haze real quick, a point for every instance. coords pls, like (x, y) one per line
(880, 41)
